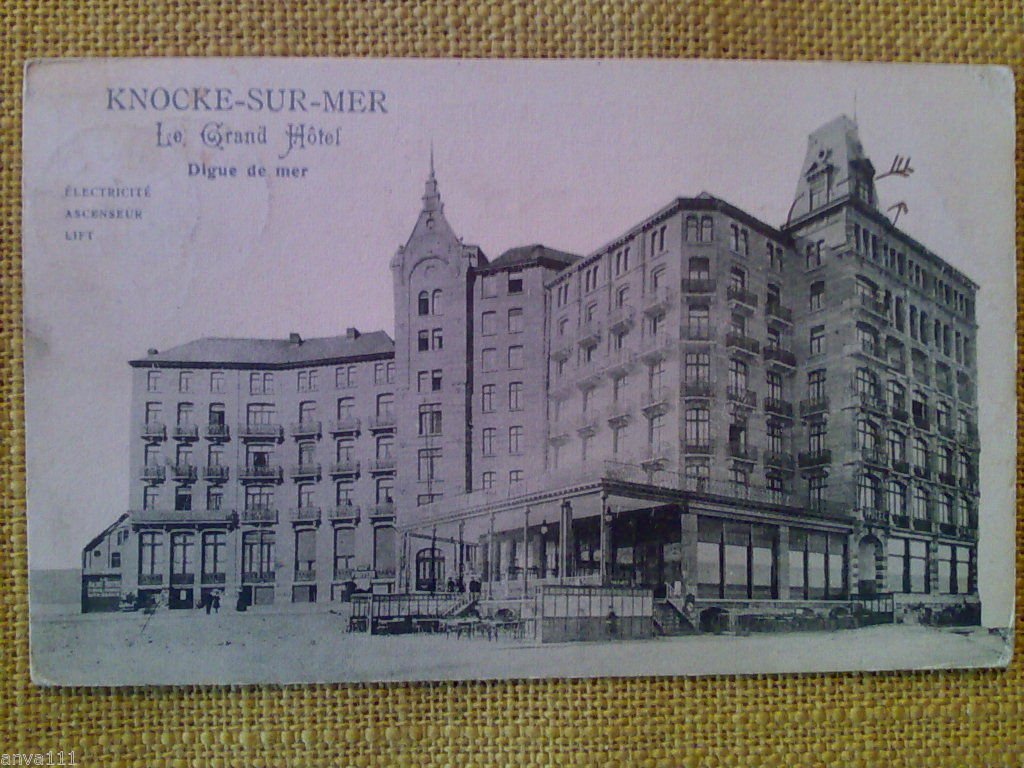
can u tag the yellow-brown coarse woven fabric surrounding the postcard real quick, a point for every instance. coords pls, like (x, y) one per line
(922, 719)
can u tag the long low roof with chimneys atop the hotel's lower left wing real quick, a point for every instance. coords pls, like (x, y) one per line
(230, 353)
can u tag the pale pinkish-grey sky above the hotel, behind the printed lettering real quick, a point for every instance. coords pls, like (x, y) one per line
(569, 154)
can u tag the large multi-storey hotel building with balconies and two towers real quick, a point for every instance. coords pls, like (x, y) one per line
(707, 405)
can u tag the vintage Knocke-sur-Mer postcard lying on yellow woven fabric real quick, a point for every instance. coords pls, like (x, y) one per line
(367, 370)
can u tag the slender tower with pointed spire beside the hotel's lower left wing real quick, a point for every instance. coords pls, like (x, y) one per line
(433, 277)
